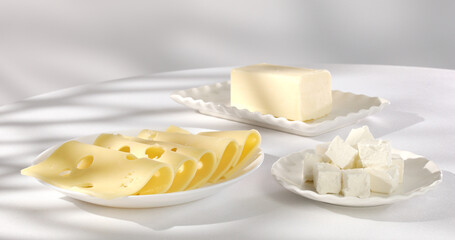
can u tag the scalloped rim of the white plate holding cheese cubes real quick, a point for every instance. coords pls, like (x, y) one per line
(358, 202)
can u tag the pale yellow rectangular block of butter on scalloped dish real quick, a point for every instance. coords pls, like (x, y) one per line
(294, 93)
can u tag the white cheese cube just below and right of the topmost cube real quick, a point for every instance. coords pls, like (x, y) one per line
(375, 153)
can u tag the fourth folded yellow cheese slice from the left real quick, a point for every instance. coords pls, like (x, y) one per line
(226, 149)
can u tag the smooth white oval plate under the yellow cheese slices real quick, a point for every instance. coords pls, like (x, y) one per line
(155, 200)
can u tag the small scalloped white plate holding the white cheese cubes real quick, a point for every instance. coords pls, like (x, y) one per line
(420, 175)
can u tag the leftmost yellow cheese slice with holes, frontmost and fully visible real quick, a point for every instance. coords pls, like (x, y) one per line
(102, 172)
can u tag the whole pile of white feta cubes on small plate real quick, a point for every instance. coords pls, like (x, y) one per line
(355, 167)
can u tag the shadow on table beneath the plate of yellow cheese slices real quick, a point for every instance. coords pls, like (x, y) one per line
(211, 210)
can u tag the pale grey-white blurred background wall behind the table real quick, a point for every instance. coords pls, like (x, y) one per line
(49, 45)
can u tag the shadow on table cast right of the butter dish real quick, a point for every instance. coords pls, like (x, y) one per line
(381, 124)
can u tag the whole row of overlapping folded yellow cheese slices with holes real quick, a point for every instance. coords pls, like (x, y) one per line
(151, 163)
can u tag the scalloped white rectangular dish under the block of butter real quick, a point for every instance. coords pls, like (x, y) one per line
(214, 100)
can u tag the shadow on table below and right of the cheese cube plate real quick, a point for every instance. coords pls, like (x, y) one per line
(435, 204)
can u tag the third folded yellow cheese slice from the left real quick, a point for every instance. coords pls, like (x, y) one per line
(206, 165)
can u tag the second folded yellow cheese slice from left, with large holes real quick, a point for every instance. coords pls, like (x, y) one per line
(184, 166)
